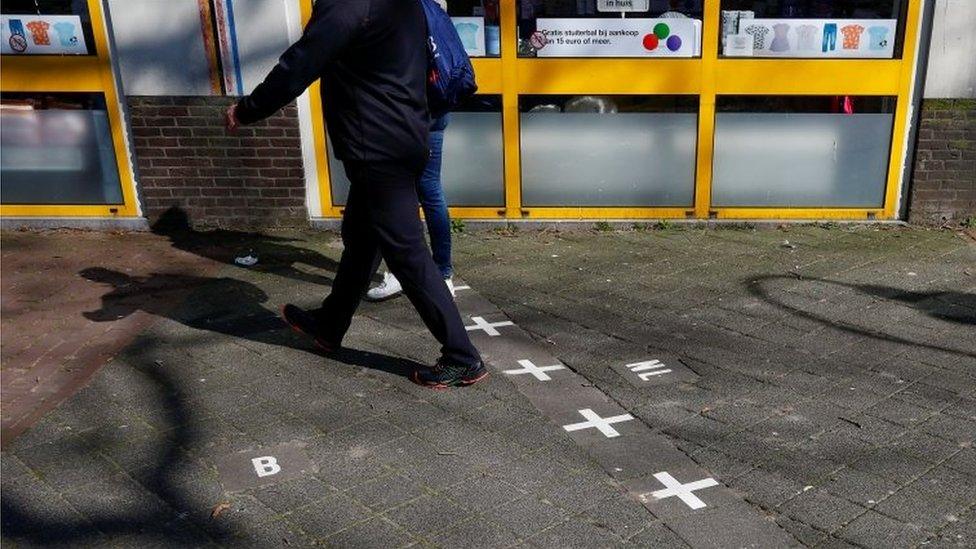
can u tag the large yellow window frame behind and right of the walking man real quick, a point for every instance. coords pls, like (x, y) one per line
(706, 77)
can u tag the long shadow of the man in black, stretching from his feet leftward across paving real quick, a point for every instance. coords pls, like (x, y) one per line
(224, 305)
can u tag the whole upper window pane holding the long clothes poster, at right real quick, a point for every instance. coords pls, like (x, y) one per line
(813, 28)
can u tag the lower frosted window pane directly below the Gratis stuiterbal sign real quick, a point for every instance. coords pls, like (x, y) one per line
(608, 150)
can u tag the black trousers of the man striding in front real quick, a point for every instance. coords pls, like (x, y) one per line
(382, 218)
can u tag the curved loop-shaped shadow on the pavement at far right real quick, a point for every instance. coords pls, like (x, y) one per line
(956, 307)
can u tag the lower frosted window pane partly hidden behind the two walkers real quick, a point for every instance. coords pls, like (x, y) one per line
(473, 163)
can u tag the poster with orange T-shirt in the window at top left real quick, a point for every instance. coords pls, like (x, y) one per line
(42, 35)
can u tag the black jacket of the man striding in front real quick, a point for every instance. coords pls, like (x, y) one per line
(372, 58)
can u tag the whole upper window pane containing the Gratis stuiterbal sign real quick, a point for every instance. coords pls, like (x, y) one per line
(609, 28)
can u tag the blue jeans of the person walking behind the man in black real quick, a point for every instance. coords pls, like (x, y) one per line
(432, 200)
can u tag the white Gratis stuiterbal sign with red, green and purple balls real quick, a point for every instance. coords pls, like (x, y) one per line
(615, 37)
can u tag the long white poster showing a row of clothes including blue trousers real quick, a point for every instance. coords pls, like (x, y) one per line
(860, 38)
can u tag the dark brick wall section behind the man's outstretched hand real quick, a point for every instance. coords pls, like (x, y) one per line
(185, 158)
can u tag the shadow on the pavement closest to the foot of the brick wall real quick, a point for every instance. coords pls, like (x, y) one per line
(278, 255)
